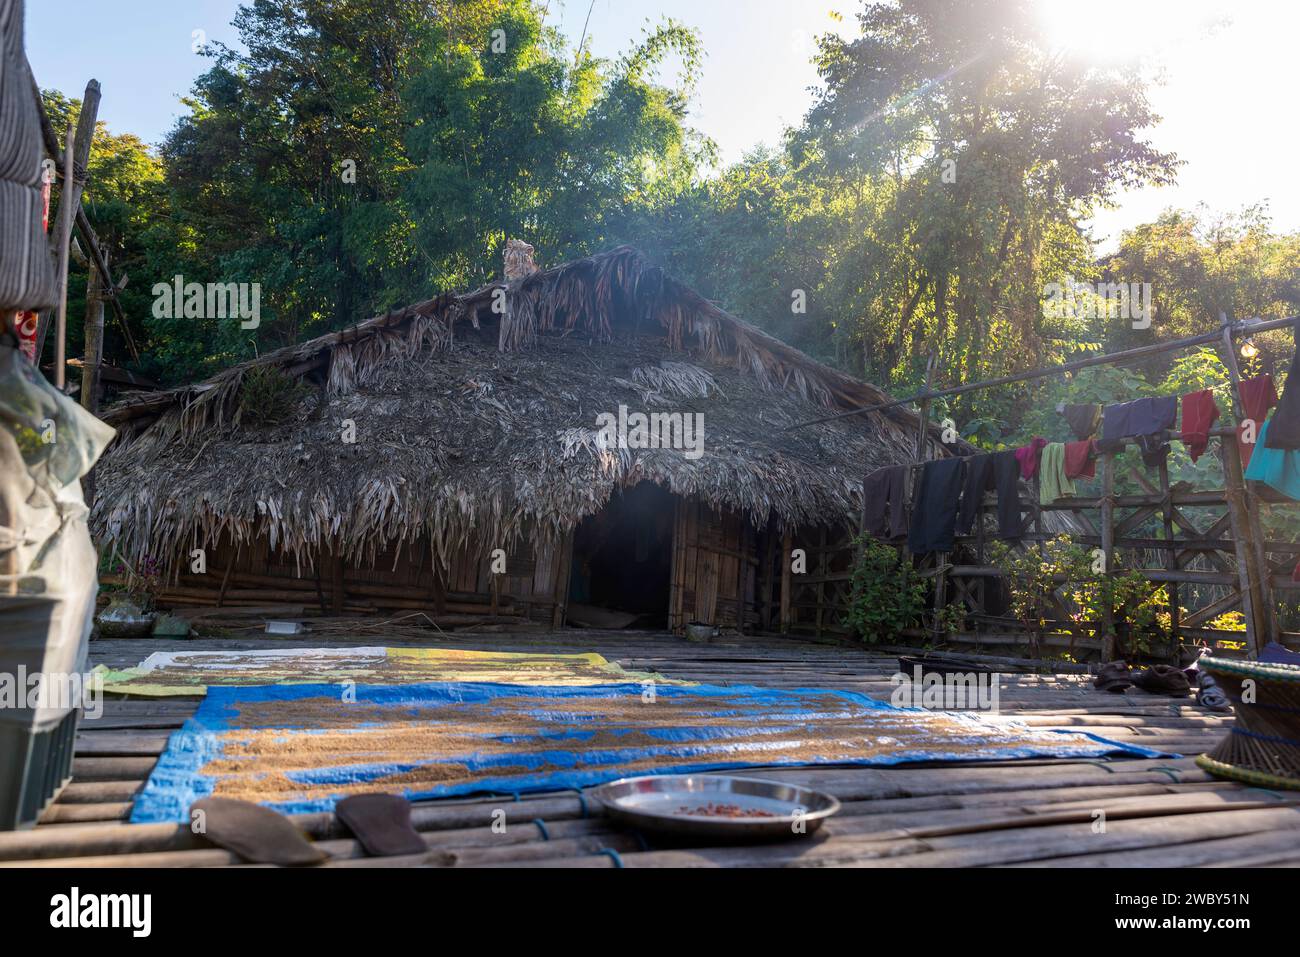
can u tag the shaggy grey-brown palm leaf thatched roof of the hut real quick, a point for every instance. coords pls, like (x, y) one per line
(478, 414)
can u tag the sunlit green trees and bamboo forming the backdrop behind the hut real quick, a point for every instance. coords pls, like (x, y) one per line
(358, 155)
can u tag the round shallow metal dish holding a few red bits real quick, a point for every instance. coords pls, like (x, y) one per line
(665, 803)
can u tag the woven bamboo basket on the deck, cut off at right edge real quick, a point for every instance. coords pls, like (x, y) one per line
(1264, 746)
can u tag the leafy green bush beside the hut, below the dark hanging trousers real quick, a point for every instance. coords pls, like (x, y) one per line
(889, 594)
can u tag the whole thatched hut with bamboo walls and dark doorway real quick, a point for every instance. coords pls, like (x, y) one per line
(450, 458)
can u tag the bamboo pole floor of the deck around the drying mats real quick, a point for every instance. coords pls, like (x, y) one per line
(1024, 815)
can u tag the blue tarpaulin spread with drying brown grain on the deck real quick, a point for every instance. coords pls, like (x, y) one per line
(301, 748)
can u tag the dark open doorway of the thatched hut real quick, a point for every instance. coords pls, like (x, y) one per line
(623, 562)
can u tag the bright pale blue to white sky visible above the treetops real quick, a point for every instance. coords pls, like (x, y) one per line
(1225, 99)
